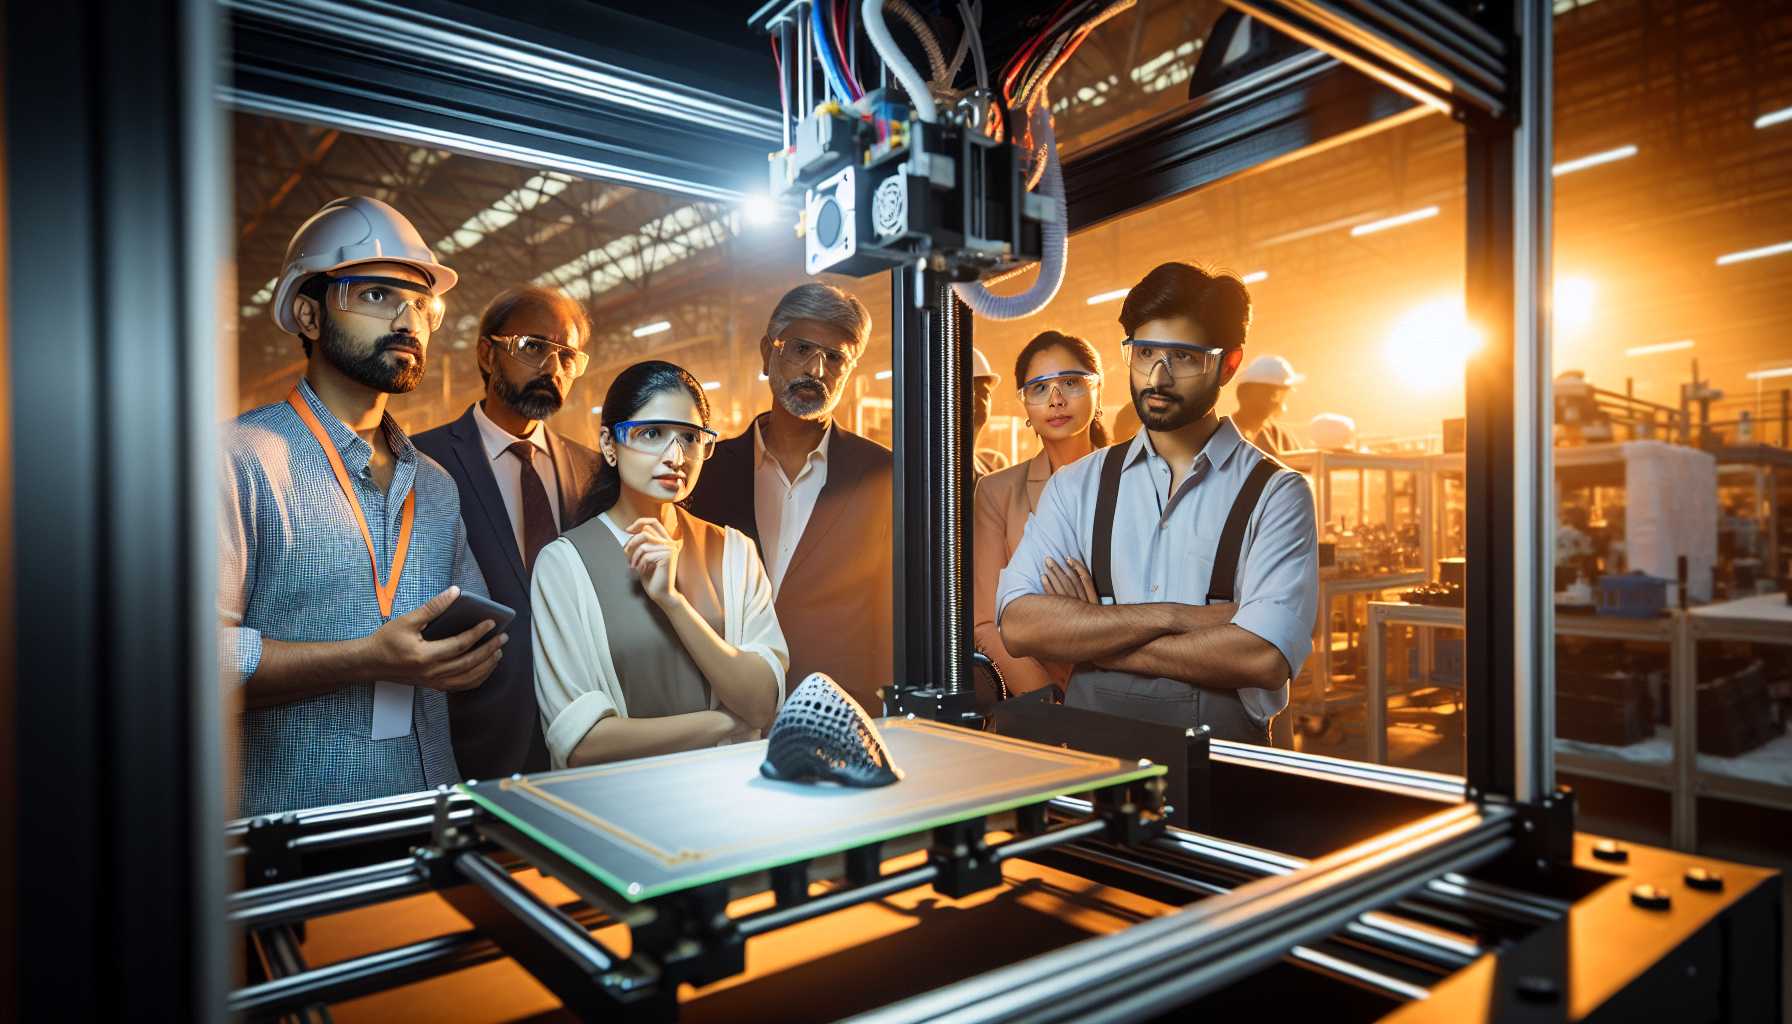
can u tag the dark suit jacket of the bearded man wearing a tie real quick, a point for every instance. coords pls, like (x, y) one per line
(497, 729)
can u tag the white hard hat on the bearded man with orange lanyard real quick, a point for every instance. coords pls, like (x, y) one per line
(354, 230)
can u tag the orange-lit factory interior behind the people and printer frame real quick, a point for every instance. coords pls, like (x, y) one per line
(1673, 367)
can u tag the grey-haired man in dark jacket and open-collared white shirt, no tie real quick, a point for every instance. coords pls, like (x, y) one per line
(814, 496)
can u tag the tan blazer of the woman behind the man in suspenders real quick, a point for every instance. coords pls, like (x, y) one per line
(1004, 501)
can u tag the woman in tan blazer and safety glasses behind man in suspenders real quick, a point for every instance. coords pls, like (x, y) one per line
(1062, 390)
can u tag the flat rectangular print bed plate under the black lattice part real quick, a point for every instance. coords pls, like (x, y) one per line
(659, 826)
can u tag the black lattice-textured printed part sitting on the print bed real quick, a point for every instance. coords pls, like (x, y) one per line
(823, 736)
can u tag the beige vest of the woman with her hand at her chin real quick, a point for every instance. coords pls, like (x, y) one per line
(659, 675)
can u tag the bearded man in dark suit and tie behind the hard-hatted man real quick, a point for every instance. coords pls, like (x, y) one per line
(521, 487)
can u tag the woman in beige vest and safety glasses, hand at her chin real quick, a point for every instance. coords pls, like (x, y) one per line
(653, 629)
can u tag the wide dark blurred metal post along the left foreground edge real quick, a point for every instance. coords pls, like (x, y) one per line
(117, 200)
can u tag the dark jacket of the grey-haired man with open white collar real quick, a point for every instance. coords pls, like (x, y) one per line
(836, 598)
